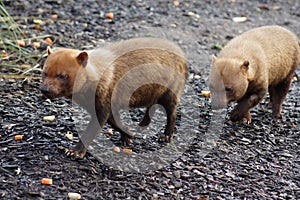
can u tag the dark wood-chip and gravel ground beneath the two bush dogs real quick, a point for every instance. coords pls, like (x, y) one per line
(256, 161)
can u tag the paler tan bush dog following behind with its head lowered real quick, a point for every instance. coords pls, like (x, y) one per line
(258, 61)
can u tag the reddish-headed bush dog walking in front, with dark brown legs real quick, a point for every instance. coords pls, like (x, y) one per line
(152, 71)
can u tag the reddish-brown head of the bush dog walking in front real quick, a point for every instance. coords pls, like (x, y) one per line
(60, 71)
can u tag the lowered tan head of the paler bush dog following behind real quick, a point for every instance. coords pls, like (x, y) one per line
(228, 80)
